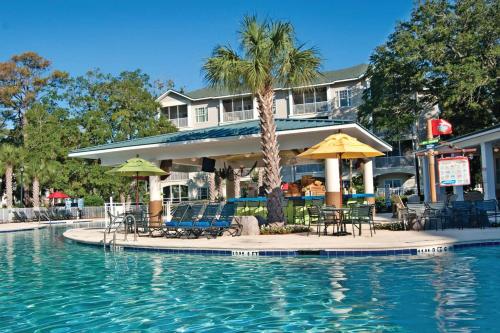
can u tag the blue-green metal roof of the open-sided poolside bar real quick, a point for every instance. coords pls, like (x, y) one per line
(215, 132)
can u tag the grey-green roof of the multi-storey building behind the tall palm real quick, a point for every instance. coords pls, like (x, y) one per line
(353, 72)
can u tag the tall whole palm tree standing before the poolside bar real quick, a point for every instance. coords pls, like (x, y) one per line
(270, 57)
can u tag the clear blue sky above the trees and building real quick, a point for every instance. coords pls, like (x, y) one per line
(171, 39)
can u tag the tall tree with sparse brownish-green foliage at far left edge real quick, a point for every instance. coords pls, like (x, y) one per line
(24, 79)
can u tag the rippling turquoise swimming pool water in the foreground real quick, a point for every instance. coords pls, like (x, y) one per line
(49, 285)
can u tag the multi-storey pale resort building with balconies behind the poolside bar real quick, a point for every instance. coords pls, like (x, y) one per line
(335, 96)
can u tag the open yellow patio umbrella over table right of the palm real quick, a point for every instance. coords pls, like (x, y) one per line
(341, 146)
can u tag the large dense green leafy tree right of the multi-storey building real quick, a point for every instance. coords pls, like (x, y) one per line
(447, 55)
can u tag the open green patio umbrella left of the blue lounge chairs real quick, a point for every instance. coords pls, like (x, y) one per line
(137, 167)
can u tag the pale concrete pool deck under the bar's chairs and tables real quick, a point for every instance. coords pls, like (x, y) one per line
(423, 241)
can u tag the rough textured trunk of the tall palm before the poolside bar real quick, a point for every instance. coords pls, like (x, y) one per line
(270, 151)
